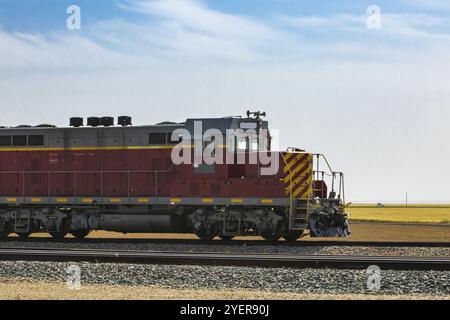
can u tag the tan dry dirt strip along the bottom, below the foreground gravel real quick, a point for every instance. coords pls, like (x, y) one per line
(21, 290)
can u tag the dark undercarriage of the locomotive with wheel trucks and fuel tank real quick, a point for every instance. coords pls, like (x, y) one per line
(205, 222)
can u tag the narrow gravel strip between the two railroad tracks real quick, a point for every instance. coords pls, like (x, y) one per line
(244, 249)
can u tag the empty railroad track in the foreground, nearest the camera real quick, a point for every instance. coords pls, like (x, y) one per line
(260, 260)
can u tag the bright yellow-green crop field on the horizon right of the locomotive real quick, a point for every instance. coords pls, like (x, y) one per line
(422, 213)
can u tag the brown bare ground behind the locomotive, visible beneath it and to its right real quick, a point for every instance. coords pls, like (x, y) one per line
(361, 231)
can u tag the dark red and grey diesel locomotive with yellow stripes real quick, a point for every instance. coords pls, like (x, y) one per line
(128, 179)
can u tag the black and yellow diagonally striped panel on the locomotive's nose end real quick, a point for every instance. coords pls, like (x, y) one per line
(298, 172)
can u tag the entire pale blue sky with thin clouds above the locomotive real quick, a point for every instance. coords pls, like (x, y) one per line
(377, 102)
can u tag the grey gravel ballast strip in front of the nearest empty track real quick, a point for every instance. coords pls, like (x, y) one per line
(230, 277)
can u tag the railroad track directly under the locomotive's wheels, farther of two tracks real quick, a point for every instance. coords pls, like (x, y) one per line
(300, 243)
